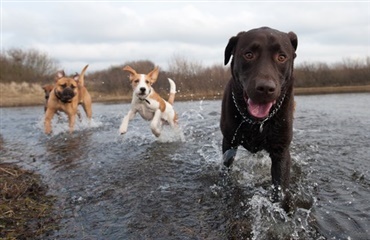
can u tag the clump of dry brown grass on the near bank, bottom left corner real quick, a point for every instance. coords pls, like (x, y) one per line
(25, 209)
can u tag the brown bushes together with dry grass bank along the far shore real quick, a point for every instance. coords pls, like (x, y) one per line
(193, 80)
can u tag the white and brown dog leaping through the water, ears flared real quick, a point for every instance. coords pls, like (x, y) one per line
(148, 103)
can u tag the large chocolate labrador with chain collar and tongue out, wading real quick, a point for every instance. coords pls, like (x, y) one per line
(258, 104)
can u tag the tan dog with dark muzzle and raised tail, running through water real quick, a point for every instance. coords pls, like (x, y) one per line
(67, 94)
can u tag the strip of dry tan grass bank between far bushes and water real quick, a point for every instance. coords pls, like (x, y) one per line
(15, 95)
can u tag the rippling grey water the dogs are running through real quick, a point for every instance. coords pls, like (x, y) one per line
(174, 187)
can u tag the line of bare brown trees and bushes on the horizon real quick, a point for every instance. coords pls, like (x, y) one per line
(33, 66)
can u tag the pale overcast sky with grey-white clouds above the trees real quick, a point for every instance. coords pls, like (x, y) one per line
(110, 33)
